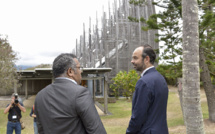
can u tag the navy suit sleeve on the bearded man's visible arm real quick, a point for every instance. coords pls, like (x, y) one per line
(140, 105)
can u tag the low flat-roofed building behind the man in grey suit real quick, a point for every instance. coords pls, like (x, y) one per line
(32, 81)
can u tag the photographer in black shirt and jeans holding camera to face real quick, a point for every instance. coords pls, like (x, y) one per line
(14, 116)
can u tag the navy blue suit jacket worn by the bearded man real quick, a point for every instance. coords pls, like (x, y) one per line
(149, 105)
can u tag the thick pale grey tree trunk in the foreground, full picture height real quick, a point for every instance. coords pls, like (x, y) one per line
(191, 75)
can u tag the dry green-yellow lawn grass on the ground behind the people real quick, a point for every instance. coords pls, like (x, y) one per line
(117, 123)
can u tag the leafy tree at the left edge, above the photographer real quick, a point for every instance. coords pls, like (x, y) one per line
(8, 75)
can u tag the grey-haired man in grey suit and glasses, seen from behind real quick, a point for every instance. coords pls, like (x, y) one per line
(65, 107)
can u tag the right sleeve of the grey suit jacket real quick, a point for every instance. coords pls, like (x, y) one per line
(88, 113)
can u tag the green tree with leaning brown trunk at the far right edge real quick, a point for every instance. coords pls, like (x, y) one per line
(207, 52)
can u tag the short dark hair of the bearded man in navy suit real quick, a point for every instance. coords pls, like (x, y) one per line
(148, 51)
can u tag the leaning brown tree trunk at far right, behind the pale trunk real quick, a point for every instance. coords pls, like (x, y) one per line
(208, 87)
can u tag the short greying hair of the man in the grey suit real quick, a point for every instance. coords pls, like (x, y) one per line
(62, 63)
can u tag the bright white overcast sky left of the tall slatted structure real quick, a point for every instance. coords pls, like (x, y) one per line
(40, 30)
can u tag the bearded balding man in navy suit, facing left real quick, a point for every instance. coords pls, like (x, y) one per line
(149, 102)
